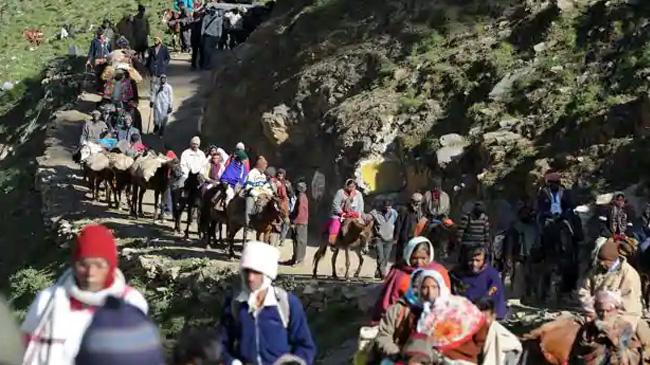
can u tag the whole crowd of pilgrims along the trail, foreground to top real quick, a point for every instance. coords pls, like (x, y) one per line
(427, 311)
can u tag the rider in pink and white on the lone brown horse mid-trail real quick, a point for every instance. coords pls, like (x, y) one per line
(347, 204)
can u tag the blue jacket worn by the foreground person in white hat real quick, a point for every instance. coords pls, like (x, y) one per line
(240, 337)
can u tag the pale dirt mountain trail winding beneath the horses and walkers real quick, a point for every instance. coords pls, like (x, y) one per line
(143, 234)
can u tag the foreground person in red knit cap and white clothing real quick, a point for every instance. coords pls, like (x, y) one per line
(59, 316)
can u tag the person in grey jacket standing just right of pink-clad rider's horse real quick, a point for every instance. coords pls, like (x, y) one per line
(384, 239)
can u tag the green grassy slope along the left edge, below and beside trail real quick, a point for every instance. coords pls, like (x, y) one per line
(23, 239)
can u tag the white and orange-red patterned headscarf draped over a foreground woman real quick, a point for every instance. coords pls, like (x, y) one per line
(451, 320)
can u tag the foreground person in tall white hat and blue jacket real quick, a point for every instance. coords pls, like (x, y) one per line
(262, 323)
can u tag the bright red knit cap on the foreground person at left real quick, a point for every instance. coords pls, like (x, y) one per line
(97, 241)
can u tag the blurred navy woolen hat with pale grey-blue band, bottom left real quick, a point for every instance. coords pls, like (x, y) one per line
(120, 334)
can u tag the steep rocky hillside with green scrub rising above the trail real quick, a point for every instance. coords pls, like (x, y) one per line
(395, 90)
